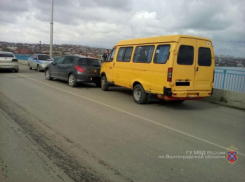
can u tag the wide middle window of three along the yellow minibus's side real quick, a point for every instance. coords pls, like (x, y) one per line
(143, 54)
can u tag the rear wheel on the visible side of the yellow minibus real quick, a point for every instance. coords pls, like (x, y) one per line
(139, 94)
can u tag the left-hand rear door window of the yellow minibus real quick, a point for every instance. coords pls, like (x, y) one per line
(185, 55)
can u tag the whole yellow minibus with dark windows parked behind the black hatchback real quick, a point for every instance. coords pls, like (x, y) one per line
(174, 68)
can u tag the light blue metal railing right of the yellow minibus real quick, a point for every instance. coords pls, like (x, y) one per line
(229, 79)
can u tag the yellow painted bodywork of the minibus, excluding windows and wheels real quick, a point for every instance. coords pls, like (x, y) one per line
(190, 80)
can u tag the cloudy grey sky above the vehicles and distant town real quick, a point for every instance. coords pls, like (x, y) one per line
(102, 23)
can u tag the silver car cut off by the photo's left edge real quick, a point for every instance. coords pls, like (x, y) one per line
(8, 61)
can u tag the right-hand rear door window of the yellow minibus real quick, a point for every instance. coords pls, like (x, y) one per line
(204, 56)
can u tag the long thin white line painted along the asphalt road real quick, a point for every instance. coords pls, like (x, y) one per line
(154, 122)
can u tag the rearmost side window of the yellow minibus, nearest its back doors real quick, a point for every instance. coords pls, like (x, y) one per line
(161, 54)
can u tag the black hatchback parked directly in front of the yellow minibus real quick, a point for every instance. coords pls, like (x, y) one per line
(74, 69)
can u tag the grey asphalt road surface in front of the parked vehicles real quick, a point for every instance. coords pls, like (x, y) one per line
(52, 132)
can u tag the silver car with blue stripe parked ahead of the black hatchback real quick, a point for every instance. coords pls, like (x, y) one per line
(39, 61)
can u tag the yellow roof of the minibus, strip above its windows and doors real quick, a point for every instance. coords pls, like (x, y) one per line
(168, 38)
